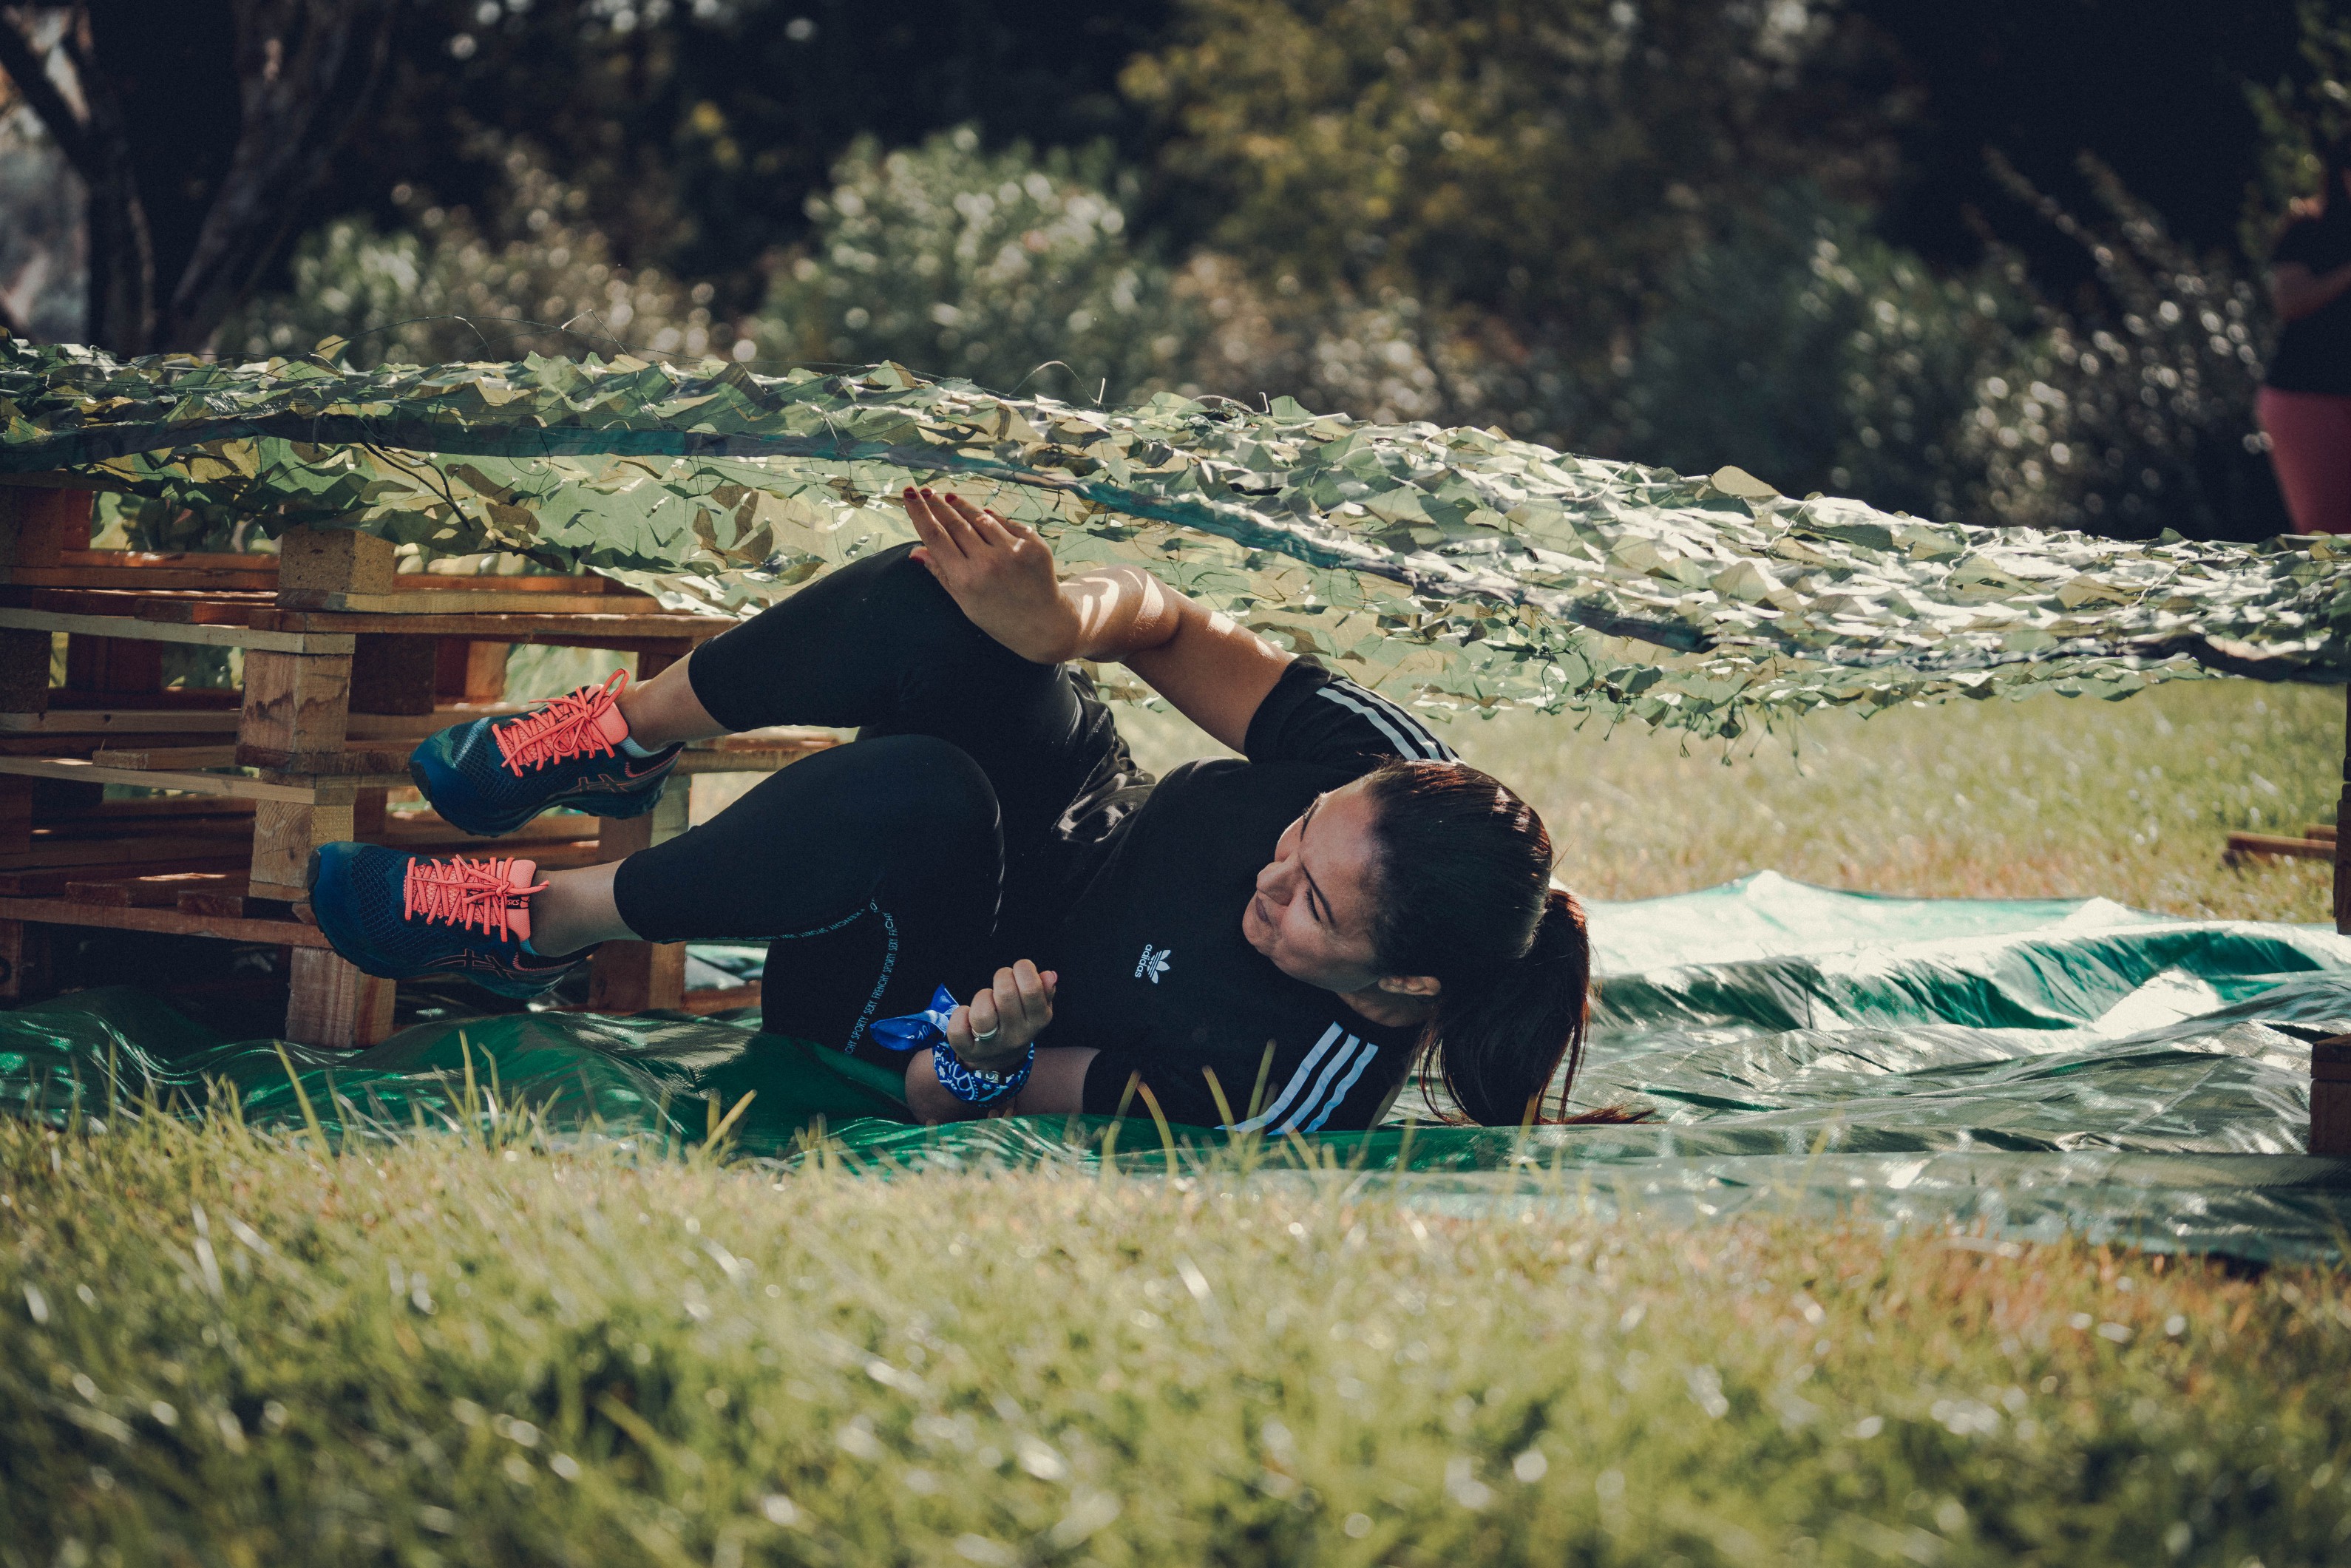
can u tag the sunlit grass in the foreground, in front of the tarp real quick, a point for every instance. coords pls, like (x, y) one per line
(234, 1351)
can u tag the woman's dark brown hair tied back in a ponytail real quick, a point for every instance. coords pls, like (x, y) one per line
(1463, 892)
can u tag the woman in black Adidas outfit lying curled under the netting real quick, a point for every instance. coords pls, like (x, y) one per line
(1268, 944)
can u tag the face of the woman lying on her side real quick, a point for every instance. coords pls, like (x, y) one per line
(1313, 906)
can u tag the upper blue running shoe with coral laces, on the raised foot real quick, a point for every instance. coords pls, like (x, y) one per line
(497, 775)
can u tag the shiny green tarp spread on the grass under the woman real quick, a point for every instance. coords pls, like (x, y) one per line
(2018, 1068)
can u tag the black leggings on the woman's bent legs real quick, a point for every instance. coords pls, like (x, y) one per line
(927, 852)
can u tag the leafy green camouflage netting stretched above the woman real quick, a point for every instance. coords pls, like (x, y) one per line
(1452, 568)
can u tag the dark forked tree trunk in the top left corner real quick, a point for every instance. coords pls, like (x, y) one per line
(199, 133)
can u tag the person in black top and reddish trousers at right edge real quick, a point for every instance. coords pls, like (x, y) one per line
(2308, 396)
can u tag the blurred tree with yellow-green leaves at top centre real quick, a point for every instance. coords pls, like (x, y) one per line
(1536, 161)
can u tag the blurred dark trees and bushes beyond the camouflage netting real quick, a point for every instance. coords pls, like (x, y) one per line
(1983, 264)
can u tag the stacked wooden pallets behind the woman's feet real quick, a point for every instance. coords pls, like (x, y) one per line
(347, 666)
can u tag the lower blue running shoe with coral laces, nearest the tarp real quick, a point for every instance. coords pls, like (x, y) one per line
(403, 918)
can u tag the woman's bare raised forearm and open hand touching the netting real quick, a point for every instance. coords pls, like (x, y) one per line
(1003, 575)
